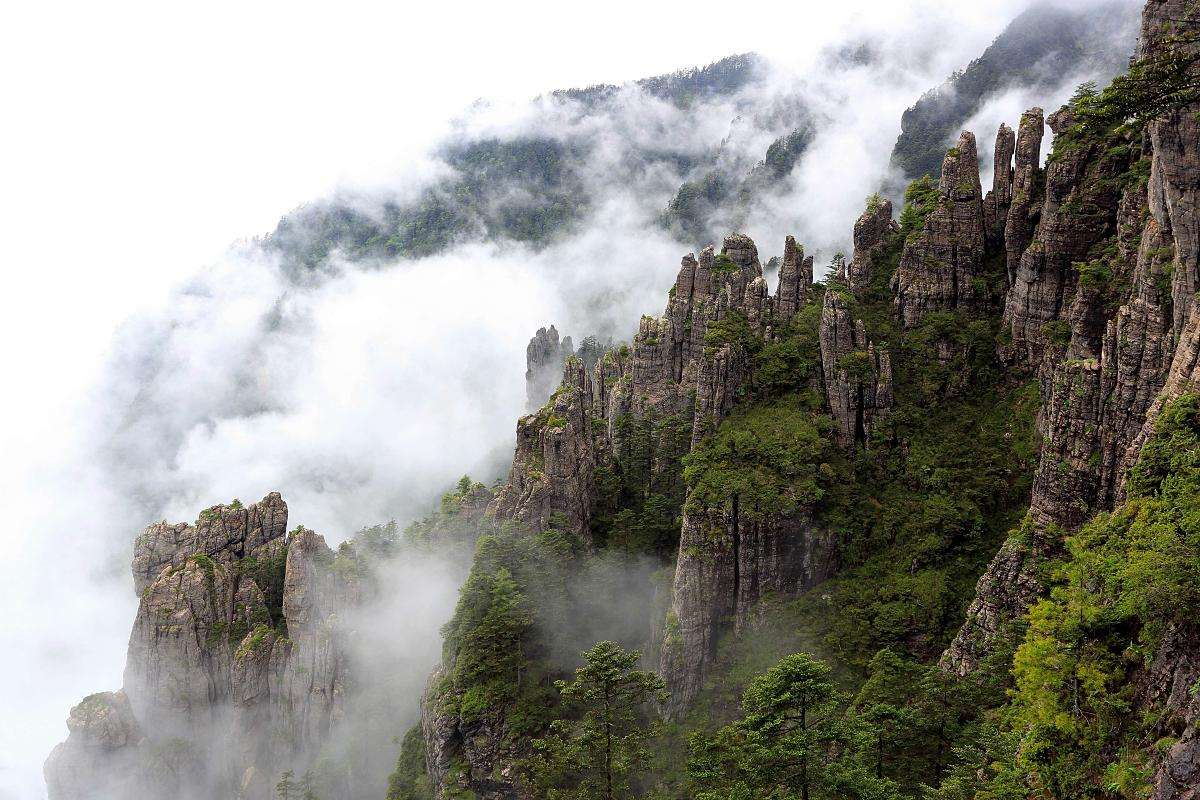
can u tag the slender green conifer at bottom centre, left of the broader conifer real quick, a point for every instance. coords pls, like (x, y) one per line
(597, 754)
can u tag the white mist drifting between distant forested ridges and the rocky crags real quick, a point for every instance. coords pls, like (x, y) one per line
(364, 393)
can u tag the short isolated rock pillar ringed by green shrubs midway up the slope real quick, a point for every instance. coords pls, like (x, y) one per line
(857, 377)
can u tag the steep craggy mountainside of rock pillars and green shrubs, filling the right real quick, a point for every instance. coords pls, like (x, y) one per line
(874, 437)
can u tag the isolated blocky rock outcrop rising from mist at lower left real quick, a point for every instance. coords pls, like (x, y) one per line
(236, 669)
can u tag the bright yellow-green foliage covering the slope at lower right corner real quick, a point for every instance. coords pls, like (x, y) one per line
(1126, 579)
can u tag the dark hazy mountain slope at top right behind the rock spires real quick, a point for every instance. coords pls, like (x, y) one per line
(1039, 50)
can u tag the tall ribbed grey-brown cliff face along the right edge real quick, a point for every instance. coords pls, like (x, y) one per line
(1103, 308)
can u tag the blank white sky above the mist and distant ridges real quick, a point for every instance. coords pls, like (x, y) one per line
(140, 140)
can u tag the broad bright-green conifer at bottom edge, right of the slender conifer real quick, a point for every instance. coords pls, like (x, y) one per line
(793, 743)
